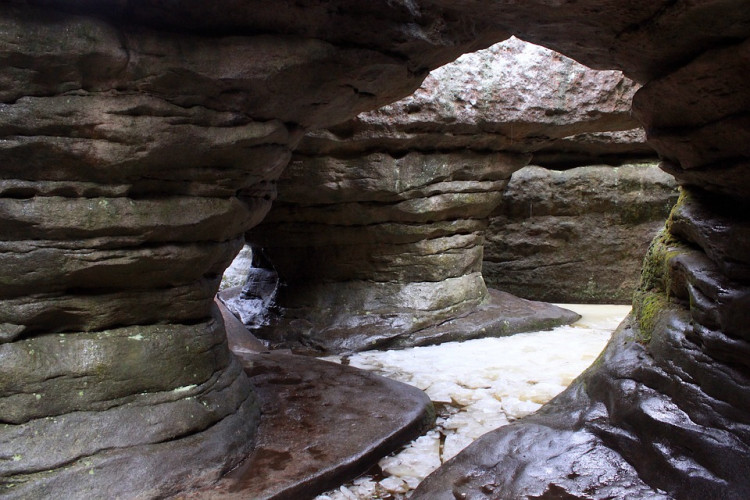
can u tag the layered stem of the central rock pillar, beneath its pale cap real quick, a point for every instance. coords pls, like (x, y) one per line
(376, 248)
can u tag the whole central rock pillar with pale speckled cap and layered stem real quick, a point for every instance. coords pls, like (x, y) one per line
(378, 230)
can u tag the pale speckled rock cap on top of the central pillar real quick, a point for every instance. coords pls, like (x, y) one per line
(513, 97)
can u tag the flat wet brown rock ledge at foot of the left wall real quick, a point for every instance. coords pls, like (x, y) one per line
(322, 424)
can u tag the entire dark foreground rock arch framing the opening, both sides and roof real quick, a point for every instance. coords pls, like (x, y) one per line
(195, 104)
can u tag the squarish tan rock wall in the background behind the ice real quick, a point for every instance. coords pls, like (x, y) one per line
(576, 236)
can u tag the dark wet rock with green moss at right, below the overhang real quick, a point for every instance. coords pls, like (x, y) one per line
(664, 412)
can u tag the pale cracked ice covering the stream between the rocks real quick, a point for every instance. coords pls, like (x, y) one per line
(477, 386)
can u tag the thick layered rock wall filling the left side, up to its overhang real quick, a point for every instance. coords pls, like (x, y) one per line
(134, 157)
